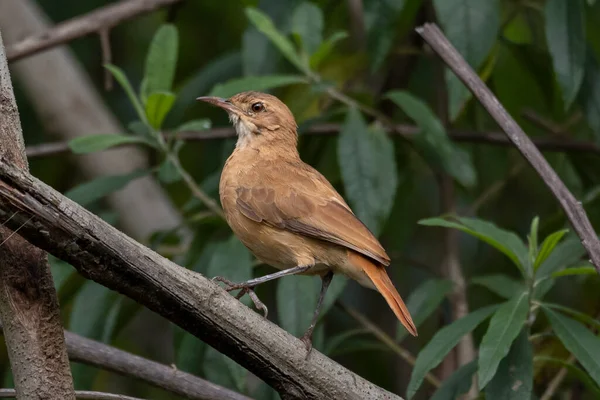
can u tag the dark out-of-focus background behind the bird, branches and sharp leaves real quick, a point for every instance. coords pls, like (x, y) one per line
(368, 73)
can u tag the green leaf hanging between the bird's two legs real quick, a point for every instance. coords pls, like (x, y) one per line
(296, 302)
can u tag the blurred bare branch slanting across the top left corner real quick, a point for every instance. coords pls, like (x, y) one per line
(96, 21)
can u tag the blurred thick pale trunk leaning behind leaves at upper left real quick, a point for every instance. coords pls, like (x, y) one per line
(69, 106)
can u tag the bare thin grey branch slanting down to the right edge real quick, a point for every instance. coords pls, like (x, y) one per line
(574, 210)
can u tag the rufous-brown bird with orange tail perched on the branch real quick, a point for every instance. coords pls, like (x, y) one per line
(288, 214)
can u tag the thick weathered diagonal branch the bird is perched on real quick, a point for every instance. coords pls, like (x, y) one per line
(104, 254)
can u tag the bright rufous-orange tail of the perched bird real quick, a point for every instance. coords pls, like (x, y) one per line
(378, 275)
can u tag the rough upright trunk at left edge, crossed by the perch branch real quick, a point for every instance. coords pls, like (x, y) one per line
(28, 303)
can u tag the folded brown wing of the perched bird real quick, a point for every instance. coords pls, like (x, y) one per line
(299, 199)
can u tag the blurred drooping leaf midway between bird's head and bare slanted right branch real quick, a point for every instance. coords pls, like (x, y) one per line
(433, 141)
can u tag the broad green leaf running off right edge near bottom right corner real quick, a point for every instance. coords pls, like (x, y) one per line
(582, 343)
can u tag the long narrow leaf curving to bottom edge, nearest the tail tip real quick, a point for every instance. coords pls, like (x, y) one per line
(441, 344)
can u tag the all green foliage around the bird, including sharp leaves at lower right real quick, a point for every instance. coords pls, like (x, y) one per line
(357, 73)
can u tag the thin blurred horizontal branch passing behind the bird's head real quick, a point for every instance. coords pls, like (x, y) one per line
(407, 131)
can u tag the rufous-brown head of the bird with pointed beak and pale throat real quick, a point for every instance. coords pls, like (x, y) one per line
(259, 119)
